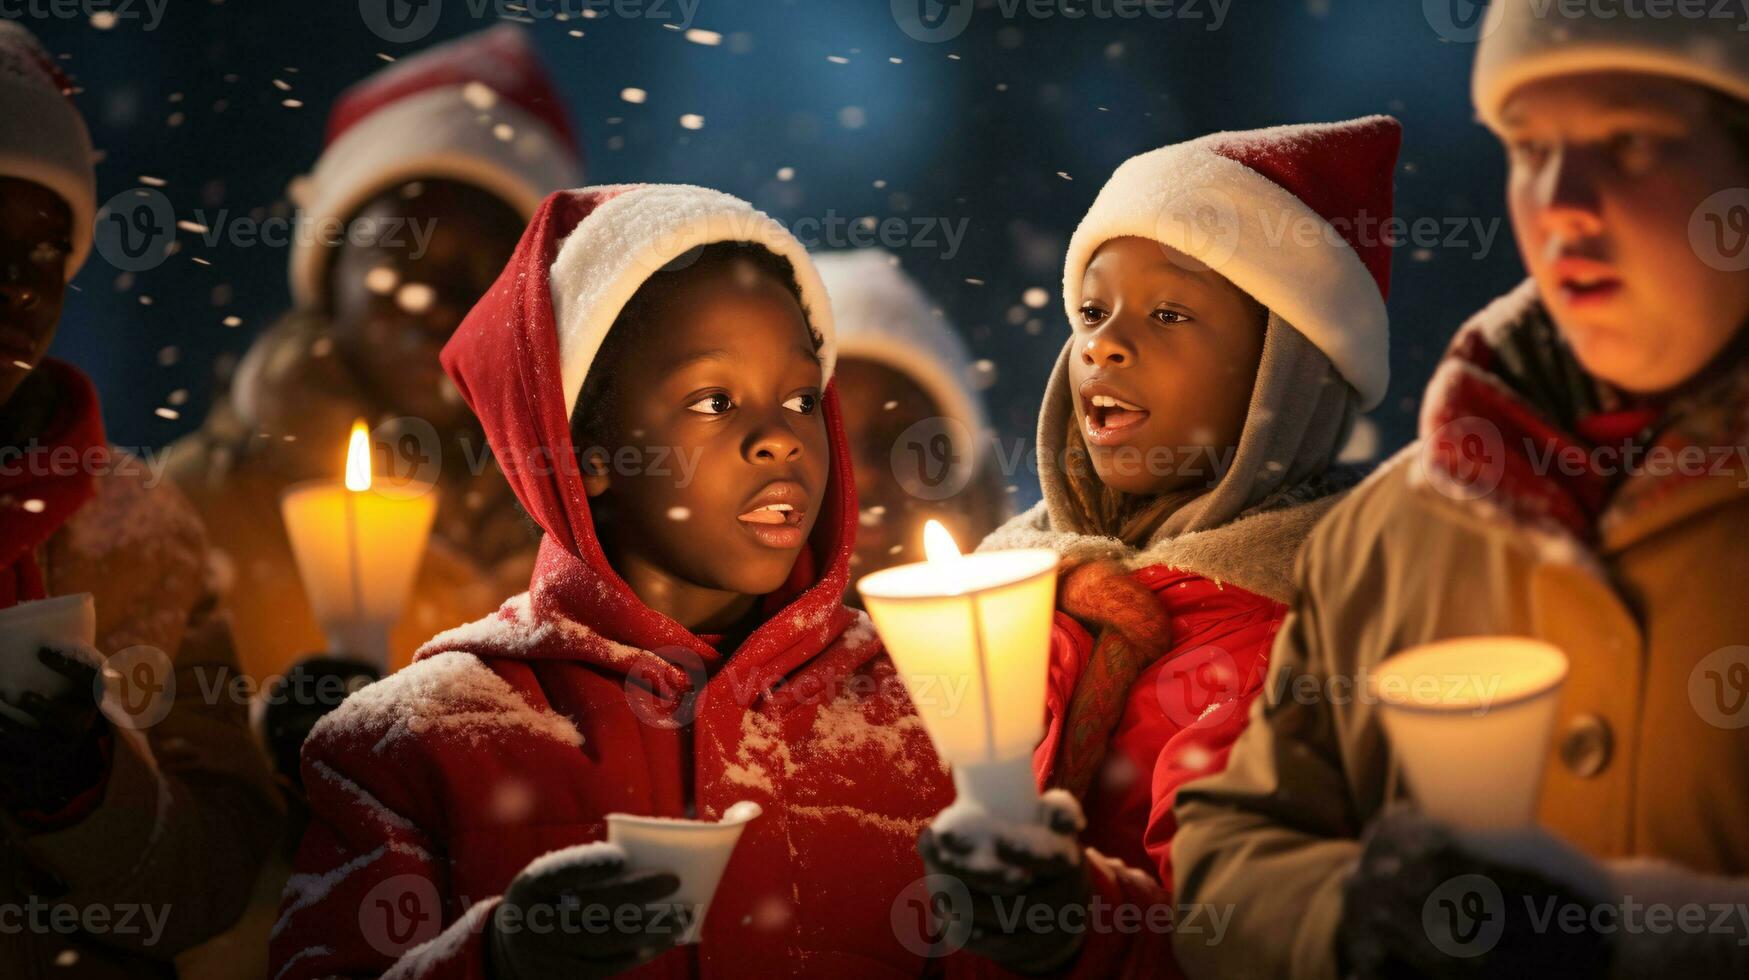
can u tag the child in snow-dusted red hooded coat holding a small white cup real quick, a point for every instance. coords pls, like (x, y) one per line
(683, 647)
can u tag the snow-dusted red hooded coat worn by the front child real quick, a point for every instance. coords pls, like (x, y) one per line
(517, 736)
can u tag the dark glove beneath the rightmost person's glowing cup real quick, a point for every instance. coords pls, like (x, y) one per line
(1430, 902)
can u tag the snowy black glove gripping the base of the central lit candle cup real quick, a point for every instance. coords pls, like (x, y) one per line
(993, 907)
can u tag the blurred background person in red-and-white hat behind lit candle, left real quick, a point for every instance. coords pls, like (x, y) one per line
(429, 174)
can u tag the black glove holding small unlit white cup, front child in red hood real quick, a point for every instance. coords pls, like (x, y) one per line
(583, 918)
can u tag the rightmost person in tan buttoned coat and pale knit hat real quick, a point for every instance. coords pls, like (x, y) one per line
(1578, 480)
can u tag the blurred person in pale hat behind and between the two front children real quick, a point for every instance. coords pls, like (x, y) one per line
(919, 433)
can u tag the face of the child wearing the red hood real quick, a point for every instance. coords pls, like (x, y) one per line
(716, 458)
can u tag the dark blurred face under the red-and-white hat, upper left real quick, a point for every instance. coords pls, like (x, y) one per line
(421, 258)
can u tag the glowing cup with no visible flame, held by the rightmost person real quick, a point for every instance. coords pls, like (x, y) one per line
(1470, 720)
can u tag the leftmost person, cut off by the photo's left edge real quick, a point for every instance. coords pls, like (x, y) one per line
(150, 801)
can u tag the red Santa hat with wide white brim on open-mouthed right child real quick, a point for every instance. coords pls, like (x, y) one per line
(1295, 216)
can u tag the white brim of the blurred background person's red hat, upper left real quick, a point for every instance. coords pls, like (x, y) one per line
(431, 136)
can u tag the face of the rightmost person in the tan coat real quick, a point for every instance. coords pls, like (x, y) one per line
(1608, 172)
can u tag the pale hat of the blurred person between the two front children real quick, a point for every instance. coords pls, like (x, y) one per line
(882, 316)
